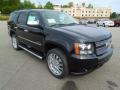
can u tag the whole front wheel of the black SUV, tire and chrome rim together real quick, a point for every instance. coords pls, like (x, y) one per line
(57, 63)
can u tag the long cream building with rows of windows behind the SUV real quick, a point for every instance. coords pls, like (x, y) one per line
(84, 12)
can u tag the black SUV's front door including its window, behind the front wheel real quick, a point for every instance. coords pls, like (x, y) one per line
(34, 34)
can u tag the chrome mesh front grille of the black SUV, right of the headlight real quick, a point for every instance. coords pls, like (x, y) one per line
(102, 46)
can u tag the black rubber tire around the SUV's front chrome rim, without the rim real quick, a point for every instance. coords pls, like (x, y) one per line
(63, 57)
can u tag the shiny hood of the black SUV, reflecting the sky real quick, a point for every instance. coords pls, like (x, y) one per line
(88, 33)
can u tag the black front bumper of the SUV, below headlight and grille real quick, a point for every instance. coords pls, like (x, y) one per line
(84, 64)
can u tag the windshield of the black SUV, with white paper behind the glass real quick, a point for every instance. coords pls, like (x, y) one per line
(54, 18)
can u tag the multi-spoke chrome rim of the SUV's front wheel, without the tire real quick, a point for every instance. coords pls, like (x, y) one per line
(55, 64)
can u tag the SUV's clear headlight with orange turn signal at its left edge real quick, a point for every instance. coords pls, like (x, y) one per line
(84, 49)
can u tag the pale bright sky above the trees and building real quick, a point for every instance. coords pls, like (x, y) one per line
(114, 4)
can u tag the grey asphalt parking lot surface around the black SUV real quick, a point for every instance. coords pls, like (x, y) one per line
(22, 71)
